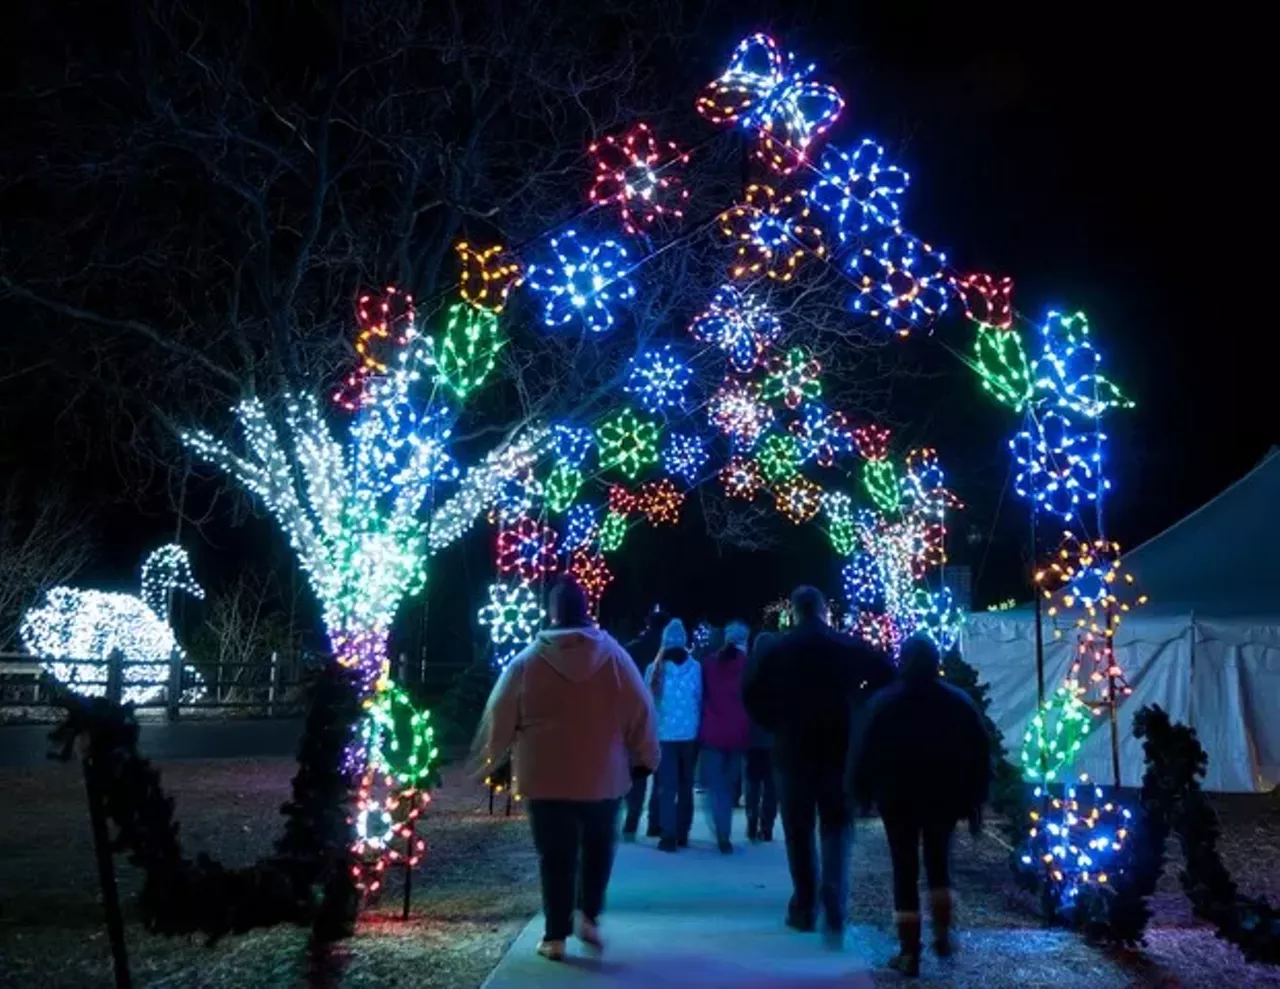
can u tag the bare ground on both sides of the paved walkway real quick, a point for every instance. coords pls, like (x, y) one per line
(478, 889)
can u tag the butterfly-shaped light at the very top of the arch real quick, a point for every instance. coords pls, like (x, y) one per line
(765, 90)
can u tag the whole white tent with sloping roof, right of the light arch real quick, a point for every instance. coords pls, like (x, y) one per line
(1206, 649)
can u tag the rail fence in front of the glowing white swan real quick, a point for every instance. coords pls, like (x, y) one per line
(272, 688)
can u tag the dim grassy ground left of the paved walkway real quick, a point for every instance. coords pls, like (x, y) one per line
(473, 894)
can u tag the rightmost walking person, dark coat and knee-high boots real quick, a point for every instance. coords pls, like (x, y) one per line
(924, 757)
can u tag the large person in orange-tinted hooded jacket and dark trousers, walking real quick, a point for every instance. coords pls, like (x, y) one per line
(575, 715)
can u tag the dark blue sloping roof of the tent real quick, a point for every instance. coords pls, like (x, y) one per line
(1224, 558)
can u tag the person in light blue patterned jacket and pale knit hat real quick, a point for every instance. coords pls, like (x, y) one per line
(676, 683)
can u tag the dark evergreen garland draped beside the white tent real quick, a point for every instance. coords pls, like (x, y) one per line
(1173, 802)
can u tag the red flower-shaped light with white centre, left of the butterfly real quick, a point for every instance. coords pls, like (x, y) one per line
(639, 175)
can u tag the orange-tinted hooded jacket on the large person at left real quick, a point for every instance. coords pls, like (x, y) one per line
(577, 716)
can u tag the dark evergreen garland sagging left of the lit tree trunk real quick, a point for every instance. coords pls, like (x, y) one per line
(305, 882)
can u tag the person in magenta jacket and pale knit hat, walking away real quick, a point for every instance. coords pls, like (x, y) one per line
(726, 731)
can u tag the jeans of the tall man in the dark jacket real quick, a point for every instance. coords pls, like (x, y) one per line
(811, 799)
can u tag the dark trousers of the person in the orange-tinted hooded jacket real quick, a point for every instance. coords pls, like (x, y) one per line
(575, 843)
